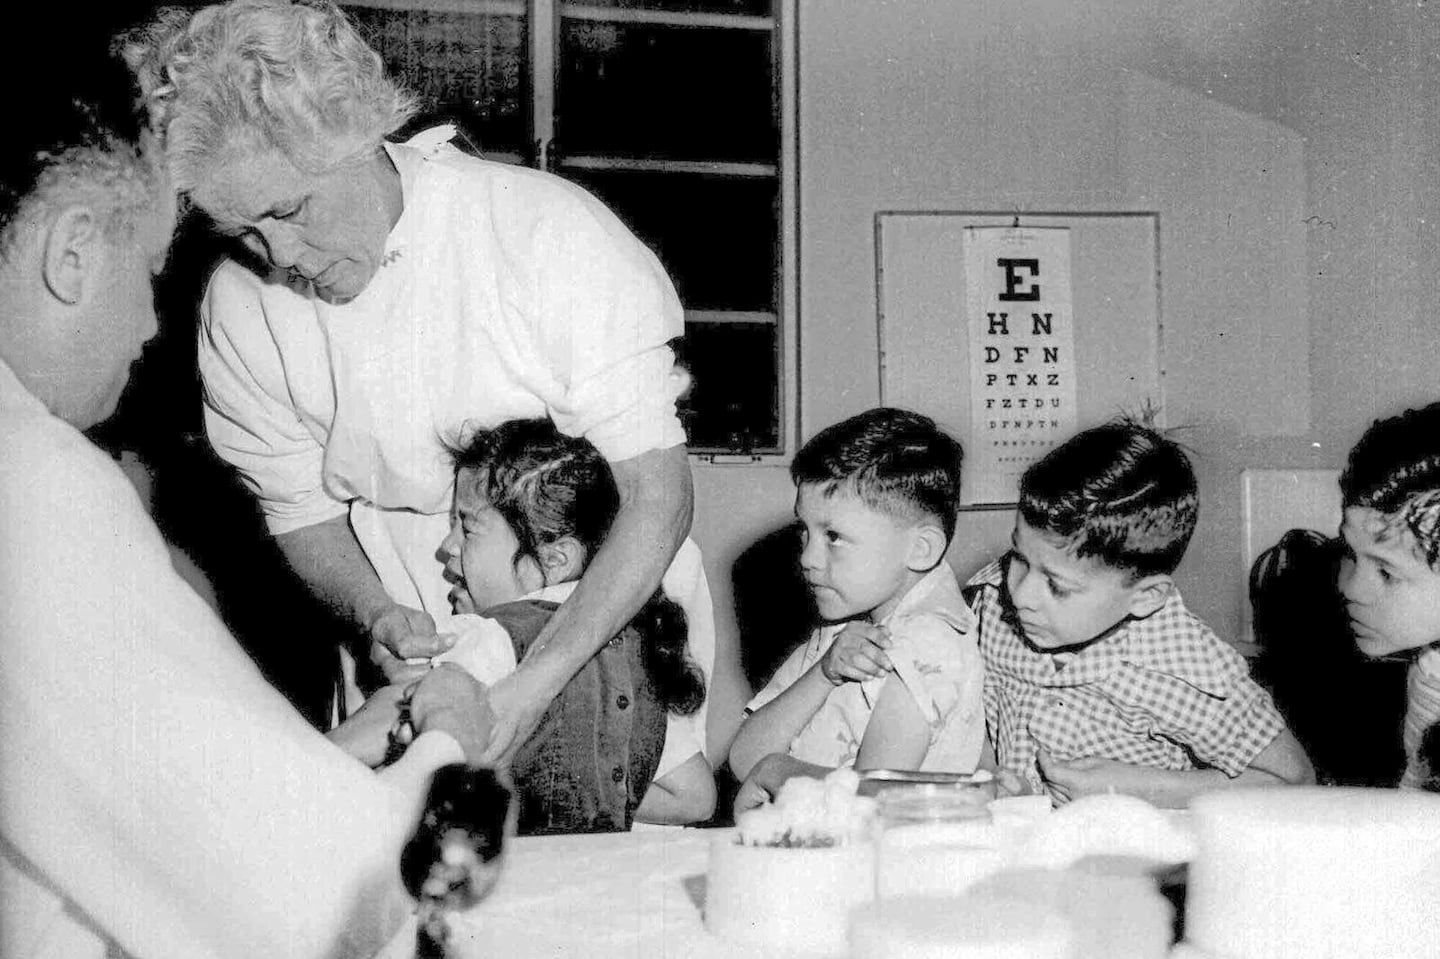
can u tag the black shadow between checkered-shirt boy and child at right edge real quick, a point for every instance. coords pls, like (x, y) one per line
(1344, 708)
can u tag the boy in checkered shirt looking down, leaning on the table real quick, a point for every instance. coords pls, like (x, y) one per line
(1098, 679)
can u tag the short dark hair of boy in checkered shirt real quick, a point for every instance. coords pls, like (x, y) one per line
(1121, 493)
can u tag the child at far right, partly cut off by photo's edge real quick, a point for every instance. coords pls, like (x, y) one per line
(1390, 569)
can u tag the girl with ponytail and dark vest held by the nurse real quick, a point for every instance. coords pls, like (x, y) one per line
(532, 508)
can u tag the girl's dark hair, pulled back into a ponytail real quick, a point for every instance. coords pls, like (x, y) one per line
(548, 486)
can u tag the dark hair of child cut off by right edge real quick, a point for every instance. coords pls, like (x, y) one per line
(1396, 470)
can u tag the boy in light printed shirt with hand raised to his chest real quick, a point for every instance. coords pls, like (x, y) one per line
(894, 676)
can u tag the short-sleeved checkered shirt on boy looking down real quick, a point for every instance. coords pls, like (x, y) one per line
(1161, 692)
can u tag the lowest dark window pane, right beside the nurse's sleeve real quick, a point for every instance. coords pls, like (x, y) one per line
(735, 400)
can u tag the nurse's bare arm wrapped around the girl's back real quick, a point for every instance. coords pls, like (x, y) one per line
(653, 522)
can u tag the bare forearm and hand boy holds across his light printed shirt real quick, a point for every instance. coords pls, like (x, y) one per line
(858, 654)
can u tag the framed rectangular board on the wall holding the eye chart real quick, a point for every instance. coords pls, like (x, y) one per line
(1016, 336)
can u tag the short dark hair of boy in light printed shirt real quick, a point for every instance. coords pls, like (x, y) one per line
(894, 460)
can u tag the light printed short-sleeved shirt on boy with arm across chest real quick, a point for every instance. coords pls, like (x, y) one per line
(935, 656)
